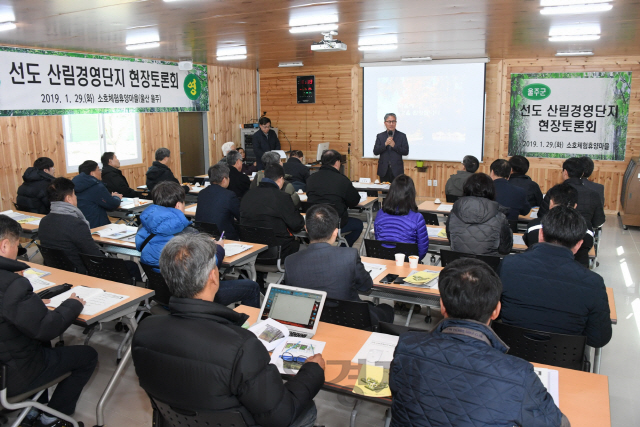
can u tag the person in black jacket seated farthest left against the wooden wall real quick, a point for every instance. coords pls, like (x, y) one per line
(32, 194)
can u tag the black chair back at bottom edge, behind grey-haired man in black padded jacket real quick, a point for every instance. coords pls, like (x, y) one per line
(165, 415)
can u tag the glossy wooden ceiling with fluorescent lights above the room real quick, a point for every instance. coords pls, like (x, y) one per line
(195, 29)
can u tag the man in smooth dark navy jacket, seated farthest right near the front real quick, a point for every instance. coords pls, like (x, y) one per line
(547, 290)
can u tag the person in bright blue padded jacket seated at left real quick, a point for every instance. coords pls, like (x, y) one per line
(164, 220)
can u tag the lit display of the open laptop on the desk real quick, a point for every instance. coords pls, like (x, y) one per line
(292, 307)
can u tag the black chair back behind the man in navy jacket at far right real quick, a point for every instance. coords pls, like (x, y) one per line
(564, 351)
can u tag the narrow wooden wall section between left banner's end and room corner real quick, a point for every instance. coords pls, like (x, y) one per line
(233, 97)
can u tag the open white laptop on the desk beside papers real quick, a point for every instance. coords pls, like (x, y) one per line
(299, 309)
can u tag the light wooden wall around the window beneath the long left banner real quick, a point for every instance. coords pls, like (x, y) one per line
(24, 139)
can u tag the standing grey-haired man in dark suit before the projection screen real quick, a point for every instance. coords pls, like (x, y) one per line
(390, 145)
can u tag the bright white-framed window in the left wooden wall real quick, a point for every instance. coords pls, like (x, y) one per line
(87, 136)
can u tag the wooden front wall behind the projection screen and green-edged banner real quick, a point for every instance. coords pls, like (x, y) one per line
(337, 118)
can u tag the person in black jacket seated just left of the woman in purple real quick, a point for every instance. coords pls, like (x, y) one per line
(329, 186)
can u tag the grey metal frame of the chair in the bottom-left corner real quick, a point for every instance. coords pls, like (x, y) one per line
(28, 400)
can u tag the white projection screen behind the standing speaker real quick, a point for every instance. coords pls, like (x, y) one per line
(440, 107)
